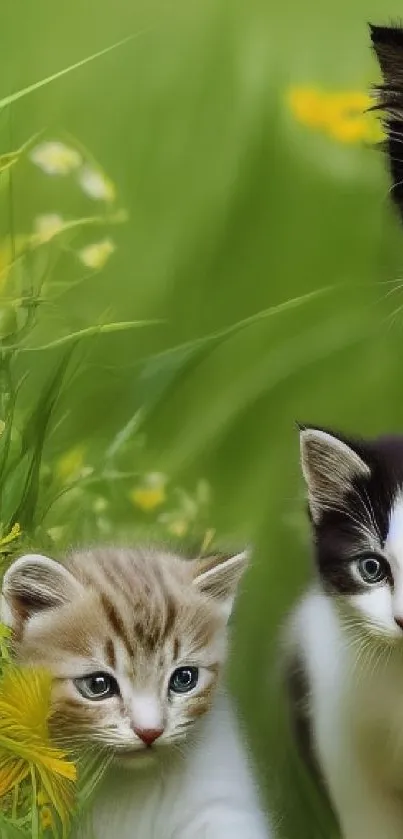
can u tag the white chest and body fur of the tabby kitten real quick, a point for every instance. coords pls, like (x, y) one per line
(204, 792)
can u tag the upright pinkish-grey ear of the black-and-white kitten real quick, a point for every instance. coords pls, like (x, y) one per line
(330, 467)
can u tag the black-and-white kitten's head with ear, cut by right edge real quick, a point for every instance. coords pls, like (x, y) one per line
(355, 493)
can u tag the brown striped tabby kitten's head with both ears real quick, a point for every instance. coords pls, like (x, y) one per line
(135, 641)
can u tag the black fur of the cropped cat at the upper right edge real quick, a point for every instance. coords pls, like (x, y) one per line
(387, 42)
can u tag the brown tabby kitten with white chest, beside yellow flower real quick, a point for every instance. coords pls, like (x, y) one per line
(136, 642)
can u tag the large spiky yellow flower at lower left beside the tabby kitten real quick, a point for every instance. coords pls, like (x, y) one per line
(25, 745)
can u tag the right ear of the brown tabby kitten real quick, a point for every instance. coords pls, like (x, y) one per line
(218, 577)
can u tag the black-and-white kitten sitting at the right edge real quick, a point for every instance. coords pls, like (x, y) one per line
(346, 635)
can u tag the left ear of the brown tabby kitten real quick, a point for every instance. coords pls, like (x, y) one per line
(32, 584)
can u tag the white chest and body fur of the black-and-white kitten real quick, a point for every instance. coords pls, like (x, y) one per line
(356, 715)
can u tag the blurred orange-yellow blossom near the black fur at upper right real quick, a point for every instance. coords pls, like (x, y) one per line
(343, 116)
